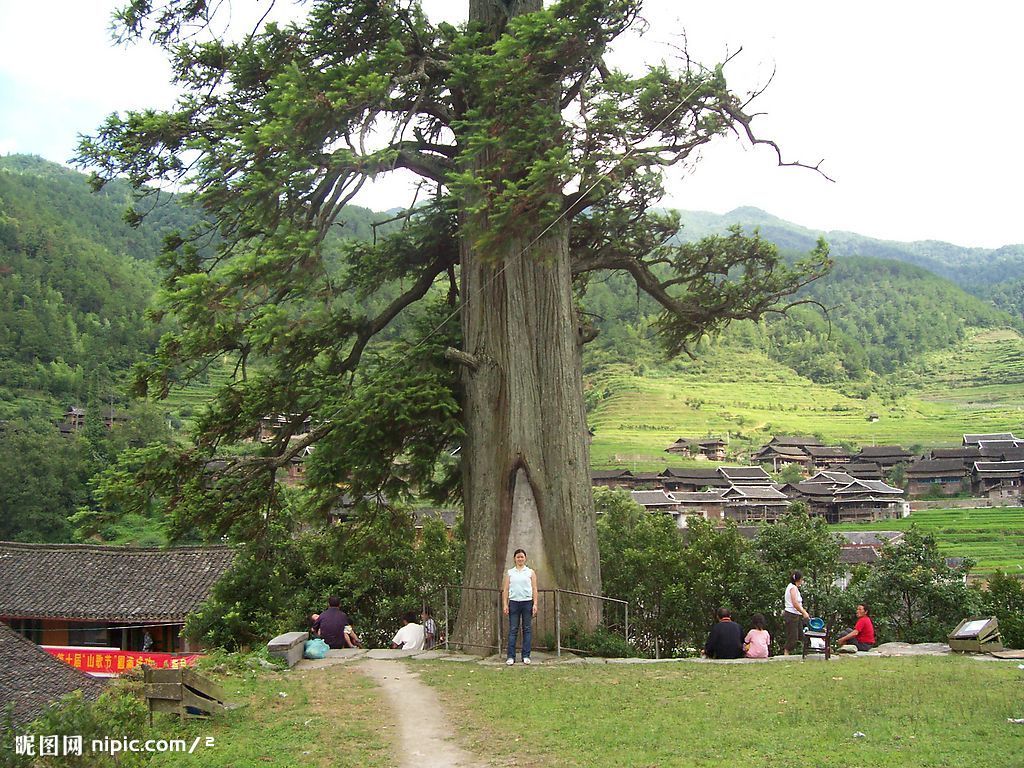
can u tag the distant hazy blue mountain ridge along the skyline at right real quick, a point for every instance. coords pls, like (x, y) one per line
(974, 269)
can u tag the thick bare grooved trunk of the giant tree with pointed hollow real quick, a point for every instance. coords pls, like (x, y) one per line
(527, 477)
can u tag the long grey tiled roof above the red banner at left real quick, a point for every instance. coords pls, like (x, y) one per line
(107, 584)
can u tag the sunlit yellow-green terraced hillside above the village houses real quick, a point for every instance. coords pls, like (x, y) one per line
(746, 398)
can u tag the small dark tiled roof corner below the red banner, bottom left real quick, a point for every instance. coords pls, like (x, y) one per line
(31, 679)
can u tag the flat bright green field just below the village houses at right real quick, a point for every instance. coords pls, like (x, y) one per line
(995, 538)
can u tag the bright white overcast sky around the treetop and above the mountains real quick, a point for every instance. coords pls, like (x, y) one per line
(915, 107)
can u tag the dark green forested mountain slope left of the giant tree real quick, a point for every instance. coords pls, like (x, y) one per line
(75, 283)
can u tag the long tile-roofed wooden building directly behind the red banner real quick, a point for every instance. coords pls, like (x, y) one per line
(106, 598)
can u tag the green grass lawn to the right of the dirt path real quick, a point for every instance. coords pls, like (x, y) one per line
(920, 712)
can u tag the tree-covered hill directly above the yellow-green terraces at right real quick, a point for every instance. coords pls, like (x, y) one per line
(872, 316)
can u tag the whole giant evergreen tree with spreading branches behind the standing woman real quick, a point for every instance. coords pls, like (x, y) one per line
(542, 164)
